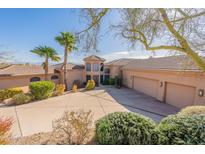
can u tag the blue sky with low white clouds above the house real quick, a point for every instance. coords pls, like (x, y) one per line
(23, 29)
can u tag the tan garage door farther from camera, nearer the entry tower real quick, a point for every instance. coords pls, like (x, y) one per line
(147, 86)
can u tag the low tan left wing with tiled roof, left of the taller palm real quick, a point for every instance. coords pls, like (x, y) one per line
(22, 75)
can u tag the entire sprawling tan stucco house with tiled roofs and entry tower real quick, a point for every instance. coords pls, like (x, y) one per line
(167, 79)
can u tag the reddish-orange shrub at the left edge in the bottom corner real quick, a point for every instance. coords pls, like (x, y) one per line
(5, 126)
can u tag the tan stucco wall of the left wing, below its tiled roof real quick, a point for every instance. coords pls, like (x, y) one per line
(20, 81)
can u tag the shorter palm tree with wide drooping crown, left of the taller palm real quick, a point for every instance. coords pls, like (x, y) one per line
(48, 53)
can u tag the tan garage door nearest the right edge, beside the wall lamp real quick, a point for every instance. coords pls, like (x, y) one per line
(179, 95)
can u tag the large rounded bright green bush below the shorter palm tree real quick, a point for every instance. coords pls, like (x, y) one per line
(41, 89)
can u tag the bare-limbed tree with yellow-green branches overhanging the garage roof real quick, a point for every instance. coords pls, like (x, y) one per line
(180, 30)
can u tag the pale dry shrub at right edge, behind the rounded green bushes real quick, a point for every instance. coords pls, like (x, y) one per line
(193, 110)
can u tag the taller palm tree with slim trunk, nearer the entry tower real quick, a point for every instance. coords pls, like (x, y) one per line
(68, 41)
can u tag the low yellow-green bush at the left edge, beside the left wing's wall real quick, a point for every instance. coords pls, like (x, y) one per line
(9, 93)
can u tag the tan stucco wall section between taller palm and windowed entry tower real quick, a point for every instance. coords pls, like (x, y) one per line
(73, 75)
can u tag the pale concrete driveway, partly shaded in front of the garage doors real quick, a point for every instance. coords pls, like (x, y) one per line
(38, 116)
